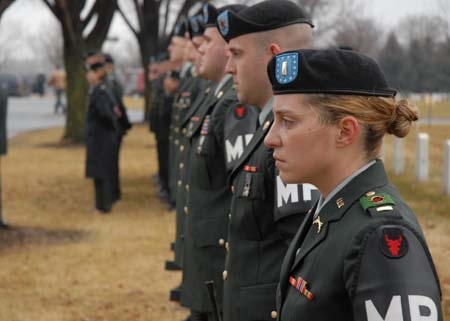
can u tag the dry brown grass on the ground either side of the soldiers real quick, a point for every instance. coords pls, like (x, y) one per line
(60, 262)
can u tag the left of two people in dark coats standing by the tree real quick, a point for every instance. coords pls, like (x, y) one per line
(102, 137)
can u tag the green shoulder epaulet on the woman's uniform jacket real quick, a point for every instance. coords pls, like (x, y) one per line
(377, 204)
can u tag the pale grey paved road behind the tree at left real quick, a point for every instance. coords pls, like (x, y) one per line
(33, 112)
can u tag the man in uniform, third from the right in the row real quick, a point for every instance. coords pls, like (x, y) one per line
(207, 193)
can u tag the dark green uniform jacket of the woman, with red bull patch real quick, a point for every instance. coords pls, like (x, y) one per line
(368, 261)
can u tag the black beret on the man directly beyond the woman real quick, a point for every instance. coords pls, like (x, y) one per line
(263, 16)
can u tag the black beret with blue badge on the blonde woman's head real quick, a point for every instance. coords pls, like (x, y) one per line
(332, 71)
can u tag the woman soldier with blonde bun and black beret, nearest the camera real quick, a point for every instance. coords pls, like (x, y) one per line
(360, 253)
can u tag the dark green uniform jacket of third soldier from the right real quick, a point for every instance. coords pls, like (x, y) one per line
(207, 201)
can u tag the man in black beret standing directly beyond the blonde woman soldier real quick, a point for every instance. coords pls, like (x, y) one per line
(265, 213)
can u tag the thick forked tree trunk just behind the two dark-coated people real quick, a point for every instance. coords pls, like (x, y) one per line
(85, 25)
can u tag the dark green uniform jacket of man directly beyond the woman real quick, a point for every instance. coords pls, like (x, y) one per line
(257, 237)
